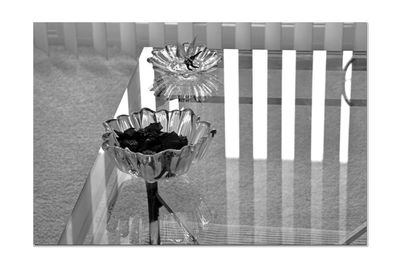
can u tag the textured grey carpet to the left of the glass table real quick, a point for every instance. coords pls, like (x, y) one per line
(72, 97)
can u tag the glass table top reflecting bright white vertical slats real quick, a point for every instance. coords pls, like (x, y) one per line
(288, 164)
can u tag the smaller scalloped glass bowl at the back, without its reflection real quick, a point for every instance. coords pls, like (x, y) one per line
(186, 59)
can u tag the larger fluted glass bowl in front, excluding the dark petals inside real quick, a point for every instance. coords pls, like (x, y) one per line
(166, 163)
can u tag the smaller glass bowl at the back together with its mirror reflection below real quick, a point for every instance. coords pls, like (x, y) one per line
(185, 71)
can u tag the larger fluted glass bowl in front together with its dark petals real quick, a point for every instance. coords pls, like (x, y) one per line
(163, 152)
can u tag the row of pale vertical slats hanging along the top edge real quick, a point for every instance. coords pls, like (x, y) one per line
(131, 37)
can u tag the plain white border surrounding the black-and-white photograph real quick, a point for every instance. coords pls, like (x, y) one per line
(16, 76)
